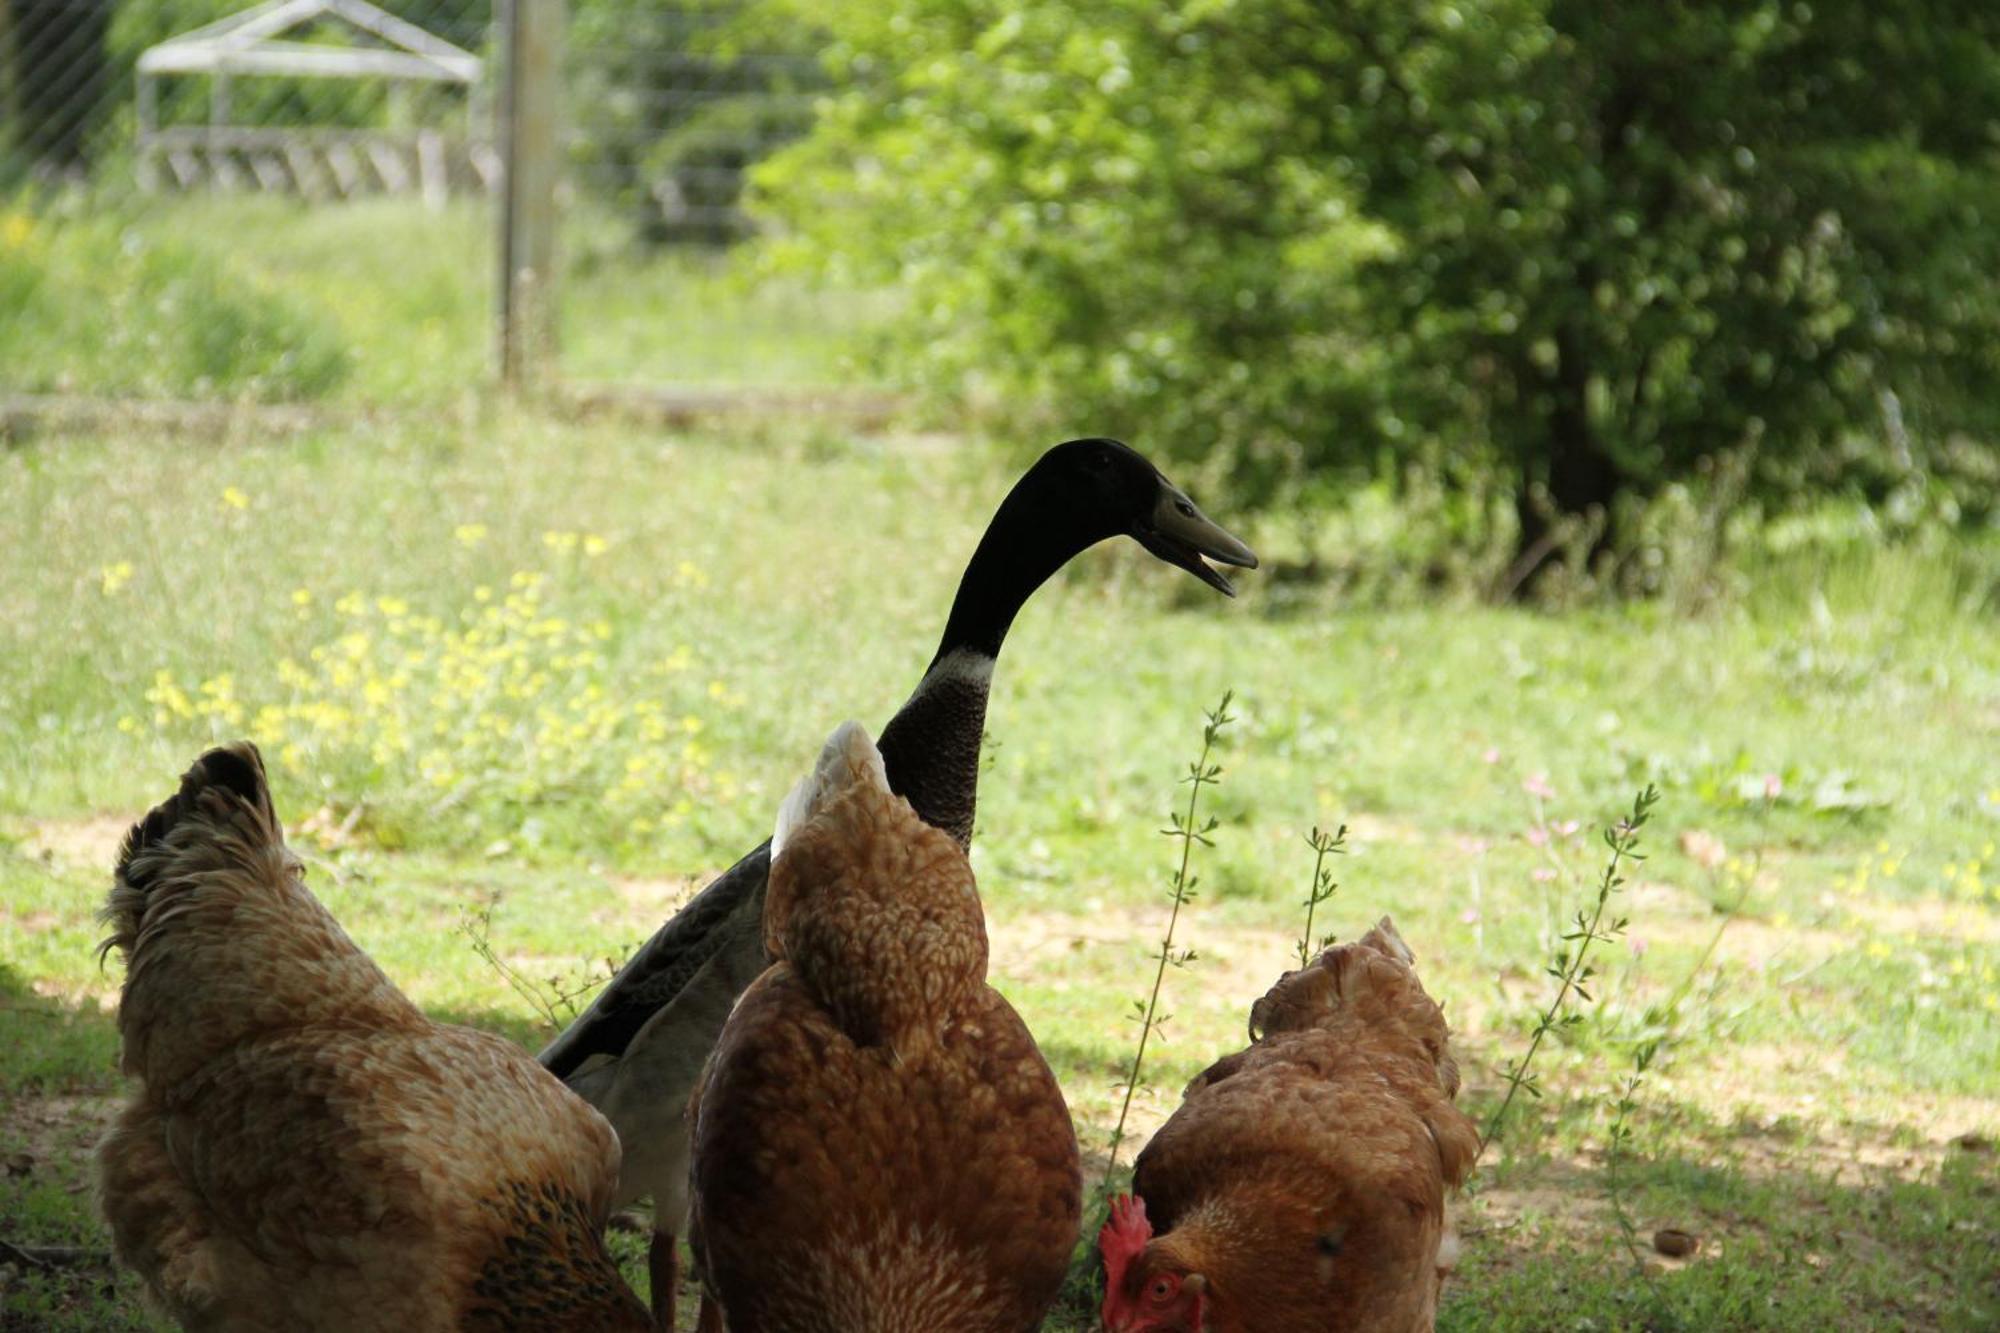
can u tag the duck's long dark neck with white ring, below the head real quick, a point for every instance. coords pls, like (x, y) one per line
(931, 750)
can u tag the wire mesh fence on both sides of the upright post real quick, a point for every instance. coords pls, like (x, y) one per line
(297, 199)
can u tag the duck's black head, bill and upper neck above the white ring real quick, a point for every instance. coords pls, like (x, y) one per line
(1073, 497)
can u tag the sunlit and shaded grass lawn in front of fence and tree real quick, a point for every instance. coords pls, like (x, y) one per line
(553, 678)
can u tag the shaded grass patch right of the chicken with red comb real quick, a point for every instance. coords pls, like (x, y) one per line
(1797, 1232)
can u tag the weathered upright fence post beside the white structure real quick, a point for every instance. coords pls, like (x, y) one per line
(531, 97)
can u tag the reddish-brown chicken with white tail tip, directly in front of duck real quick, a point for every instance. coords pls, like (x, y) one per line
(879, 1146)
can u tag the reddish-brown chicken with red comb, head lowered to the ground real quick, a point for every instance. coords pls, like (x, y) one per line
(1301, 1186)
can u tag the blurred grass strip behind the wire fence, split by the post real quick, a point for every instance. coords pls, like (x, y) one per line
(367, 303)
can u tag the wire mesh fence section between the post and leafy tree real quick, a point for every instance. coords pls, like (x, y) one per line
(671, 107)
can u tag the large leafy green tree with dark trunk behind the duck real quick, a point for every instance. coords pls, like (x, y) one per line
(1587, 245)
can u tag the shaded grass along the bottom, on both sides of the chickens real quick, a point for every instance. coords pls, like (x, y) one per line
(1799, 1228)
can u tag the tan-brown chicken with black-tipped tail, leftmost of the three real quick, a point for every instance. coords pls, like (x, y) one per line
(305, 1150)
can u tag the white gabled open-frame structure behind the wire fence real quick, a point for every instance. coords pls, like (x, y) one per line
(315, 161)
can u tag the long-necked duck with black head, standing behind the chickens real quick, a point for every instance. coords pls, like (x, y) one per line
(639, 1050)
